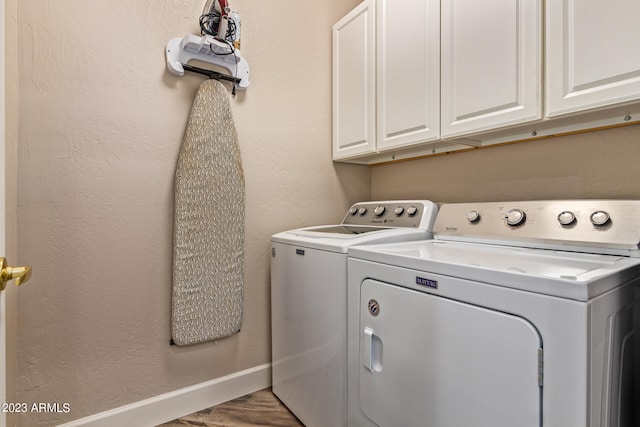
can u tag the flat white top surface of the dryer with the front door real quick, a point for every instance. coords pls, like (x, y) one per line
(571, 275)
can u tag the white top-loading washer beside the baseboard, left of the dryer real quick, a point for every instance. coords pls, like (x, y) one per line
(309, 300)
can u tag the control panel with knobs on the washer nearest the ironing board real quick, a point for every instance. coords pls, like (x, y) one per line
(403, 213)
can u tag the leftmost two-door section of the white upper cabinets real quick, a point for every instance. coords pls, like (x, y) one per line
(386, 77)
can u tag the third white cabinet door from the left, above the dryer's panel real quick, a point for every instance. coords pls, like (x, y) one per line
(491, 64)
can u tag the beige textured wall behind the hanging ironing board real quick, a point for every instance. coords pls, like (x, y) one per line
(100, 125)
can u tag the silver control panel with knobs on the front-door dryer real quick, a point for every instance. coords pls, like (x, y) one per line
(550, 223)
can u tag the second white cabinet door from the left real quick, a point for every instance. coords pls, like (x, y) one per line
(408, 78)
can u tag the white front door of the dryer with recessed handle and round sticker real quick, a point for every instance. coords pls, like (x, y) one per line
(431, 361)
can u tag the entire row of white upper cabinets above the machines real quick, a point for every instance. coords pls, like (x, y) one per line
(418, 77)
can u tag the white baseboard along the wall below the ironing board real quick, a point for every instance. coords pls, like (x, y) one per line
(175, 404)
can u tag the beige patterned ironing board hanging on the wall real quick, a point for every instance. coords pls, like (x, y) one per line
(208, 252)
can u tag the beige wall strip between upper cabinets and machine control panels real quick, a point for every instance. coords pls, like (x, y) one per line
(602, 164)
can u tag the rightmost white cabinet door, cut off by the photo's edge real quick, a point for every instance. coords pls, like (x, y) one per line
(592, 54)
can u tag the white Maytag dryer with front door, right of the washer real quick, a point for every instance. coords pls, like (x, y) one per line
(519, 314)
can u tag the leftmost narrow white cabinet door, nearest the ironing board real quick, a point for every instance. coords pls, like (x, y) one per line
(354, 83)
